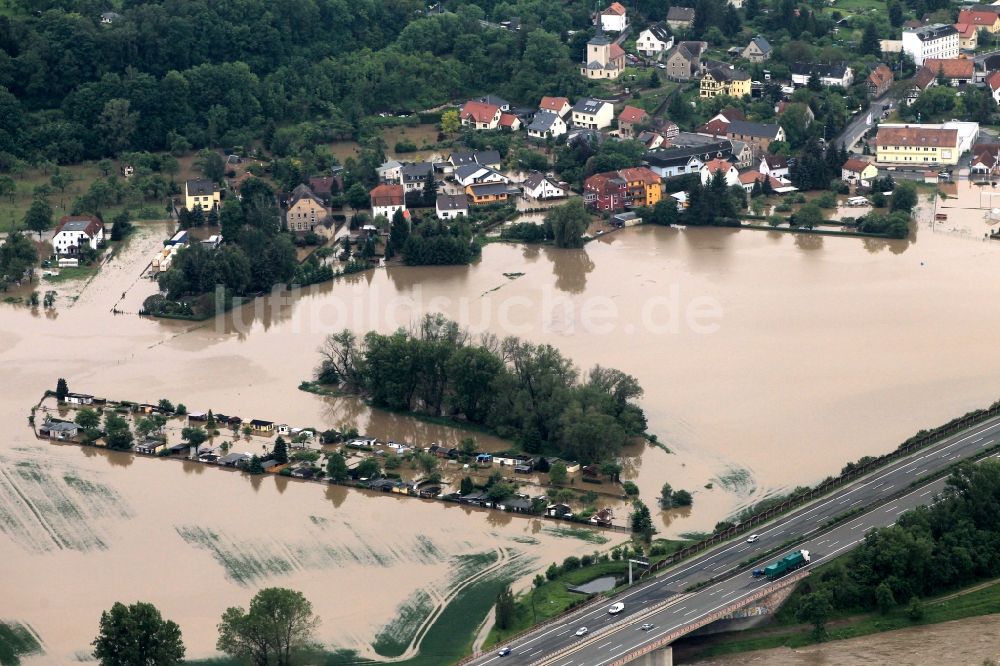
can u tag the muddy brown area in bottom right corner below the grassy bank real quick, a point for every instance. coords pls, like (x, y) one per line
(957, 643)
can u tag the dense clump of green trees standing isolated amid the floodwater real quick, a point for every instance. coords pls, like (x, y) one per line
(527, 392)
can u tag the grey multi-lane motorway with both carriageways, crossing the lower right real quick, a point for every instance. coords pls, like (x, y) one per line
(728, 584)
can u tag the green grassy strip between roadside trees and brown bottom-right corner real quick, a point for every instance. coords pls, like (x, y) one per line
(980, 599)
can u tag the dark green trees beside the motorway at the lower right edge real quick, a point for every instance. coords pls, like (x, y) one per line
(929, 551)
